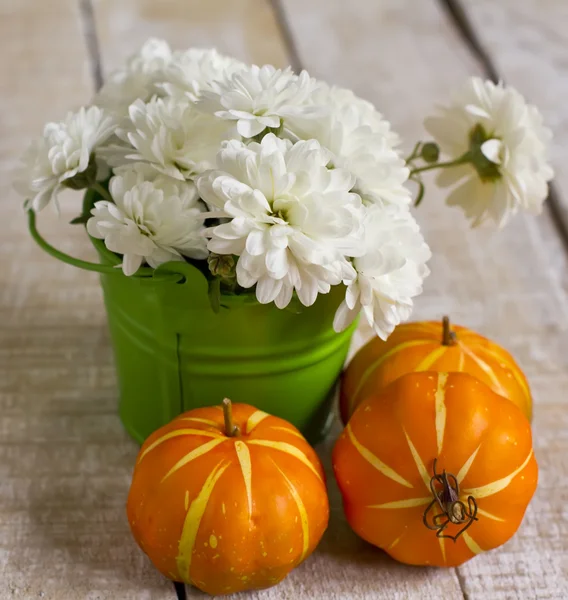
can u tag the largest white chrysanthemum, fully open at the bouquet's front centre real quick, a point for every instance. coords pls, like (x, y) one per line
(293, 220)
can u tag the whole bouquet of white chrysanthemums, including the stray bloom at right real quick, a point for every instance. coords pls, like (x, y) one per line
(277, 184)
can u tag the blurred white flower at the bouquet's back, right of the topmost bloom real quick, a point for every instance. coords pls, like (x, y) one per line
(195, 70)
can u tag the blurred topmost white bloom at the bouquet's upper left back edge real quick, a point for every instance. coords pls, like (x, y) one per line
(137, 79)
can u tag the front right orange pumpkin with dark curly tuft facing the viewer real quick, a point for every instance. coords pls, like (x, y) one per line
(436, 469)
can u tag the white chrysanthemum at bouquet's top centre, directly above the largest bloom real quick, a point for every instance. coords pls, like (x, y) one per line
(260, 97)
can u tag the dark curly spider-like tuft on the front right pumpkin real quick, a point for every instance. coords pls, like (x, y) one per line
(446, 491)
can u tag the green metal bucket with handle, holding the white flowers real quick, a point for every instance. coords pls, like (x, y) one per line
(173, 353)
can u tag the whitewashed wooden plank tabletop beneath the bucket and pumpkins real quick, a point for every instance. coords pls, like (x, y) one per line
(65, 461)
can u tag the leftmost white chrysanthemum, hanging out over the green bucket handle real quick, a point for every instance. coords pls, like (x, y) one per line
(61, 154)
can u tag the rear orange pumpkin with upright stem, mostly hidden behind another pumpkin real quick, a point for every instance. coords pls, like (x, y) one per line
(432, 346)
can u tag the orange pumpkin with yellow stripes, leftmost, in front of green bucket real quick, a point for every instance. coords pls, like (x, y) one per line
(227, 503)
